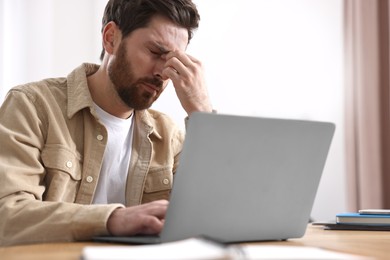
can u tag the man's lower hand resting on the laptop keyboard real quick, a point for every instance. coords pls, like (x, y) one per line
(142, 219)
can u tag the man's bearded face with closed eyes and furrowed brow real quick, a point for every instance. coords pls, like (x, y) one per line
(136, 67)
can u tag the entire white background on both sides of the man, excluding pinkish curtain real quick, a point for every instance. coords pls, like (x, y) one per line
(272, 58)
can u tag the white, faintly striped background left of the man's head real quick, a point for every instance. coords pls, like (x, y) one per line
(45, 38)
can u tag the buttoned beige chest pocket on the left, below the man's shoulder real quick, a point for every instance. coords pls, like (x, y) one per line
(63, 173)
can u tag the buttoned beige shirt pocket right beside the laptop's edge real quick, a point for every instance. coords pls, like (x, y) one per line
(158, 184)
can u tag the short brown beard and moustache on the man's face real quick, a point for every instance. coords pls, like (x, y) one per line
(128, 87)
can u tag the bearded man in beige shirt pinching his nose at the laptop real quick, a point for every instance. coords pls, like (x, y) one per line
(84, 155)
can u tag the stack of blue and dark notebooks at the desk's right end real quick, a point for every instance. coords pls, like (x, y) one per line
(365, 219)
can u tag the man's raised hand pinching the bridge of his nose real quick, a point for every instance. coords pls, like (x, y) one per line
(187, 77)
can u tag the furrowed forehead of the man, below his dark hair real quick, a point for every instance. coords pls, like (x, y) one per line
(162, 32)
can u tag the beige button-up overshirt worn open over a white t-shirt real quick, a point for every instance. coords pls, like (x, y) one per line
(52, 145)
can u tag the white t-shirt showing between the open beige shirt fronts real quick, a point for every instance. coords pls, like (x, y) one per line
(111, 186)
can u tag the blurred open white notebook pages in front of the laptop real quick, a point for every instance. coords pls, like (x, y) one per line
(199, 249)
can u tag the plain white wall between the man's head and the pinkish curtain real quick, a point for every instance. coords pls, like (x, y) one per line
(277, 58)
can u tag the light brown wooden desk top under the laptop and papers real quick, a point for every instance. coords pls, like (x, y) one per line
(366, 243)
